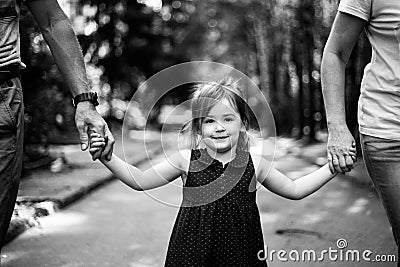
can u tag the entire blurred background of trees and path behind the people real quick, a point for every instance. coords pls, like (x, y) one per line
(277, 43)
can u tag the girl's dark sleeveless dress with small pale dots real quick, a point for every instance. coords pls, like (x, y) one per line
(218, 223)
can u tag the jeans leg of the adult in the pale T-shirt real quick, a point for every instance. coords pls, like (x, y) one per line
(382, 159)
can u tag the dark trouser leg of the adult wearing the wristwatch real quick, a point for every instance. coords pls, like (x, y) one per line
(11, 149)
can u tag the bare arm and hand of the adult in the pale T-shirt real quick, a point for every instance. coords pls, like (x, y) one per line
(345, 32)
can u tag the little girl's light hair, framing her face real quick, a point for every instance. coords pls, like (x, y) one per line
(204, 97)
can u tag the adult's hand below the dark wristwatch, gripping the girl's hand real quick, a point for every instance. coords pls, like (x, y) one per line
(88, 119)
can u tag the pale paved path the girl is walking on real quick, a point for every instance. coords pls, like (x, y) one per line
(116, 226)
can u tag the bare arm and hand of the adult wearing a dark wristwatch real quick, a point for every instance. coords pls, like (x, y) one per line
(59, 35)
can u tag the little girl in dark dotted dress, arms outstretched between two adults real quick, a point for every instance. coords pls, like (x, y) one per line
(218, 223)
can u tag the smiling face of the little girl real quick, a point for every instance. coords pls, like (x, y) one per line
(221, 127)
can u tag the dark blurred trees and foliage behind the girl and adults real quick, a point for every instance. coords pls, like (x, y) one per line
(277, 43)
